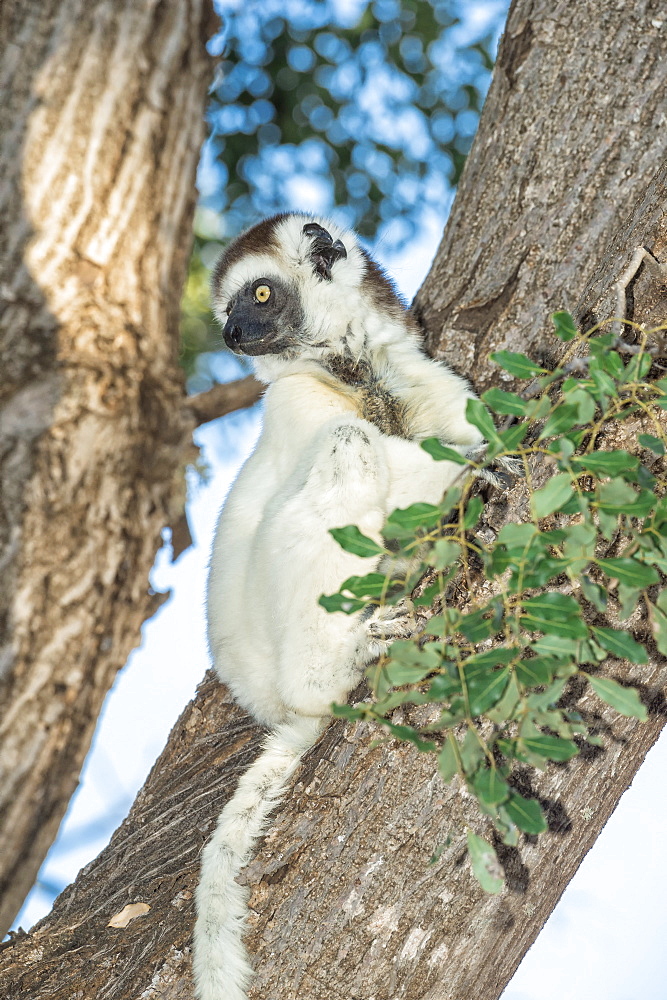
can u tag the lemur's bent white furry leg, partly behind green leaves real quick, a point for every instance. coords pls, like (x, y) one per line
(343, 479)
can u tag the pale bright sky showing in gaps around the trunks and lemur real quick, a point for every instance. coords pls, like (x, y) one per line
(604, 940)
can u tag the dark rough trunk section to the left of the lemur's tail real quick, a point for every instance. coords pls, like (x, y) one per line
(152, 858)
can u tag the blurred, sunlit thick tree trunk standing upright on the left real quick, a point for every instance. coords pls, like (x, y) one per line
(102, 121)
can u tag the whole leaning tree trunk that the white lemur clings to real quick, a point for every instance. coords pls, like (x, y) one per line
(560, 186)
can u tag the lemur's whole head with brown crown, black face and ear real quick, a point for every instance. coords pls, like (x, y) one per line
(293, 289)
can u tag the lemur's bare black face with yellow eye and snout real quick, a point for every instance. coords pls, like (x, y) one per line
(264, 317)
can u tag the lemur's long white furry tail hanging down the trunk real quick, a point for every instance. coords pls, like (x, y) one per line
(221, 967)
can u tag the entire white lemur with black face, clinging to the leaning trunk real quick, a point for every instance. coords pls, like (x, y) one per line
(350, 396)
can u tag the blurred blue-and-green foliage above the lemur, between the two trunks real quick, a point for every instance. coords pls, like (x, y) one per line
(365, 110)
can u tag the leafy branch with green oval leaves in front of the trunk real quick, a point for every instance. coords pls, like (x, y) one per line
(495, 671)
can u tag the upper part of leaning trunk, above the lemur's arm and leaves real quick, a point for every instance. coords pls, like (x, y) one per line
(572, 132)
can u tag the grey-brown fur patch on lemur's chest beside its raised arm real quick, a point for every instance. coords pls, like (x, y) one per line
(371, 396)
